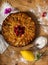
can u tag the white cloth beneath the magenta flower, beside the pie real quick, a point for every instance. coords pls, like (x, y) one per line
(2, 9)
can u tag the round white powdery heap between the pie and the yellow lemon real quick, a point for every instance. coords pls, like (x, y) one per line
(41, 41)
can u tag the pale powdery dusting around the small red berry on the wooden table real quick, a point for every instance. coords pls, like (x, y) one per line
(39, 11)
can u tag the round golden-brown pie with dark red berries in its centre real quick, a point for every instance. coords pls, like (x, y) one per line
(19, 29)
